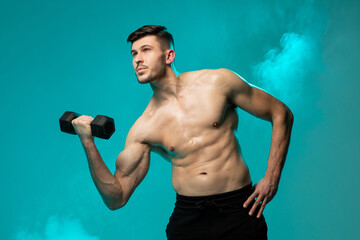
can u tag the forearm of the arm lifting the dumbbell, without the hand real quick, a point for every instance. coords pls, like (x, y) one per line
(108, 186)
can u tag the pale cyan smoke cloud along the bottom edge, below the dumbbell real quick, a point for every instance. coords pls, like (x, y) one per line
(58, 229)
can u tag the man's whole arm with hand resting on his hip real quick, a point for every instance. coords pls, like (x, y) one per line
(261, 104)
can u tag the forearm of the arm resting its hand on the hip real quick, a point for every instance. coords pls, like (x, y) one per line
(280, 141)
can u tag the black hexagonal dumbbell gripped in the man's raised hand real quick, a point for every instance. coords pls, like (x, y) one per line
(101, 126)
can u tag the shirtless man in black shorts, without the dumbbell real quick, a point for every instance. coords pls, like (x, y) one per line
(191, 121)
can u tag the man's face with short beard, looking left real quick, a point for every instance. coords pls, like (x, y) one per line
(148, 59)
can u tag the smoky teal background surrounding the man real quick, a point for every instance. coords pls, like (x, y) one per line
(72, 55)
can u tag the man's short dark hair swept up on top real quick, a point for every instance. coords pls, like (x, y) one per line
(153, 30)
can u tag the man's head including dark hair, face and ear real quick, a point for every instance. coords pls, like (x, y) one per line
(153, 51)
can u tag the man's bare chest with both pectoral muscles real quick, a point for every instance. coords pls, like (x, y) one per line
(196, 119)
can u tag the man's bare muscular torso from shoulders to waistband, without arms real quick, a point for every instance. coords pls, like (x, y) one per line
(195, 131)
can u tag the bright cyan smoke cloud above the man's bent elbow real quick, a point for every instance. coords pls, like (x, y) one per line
(284, 69)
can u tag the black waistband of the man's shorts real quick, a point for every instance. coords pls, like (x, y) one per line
(220, 197)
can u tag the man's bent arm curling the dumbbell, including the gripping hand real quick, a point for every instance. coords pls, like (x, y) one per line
(132, 164)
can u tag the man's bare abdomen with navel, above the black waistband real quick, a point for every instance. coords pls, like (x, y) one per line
(217, 168)
